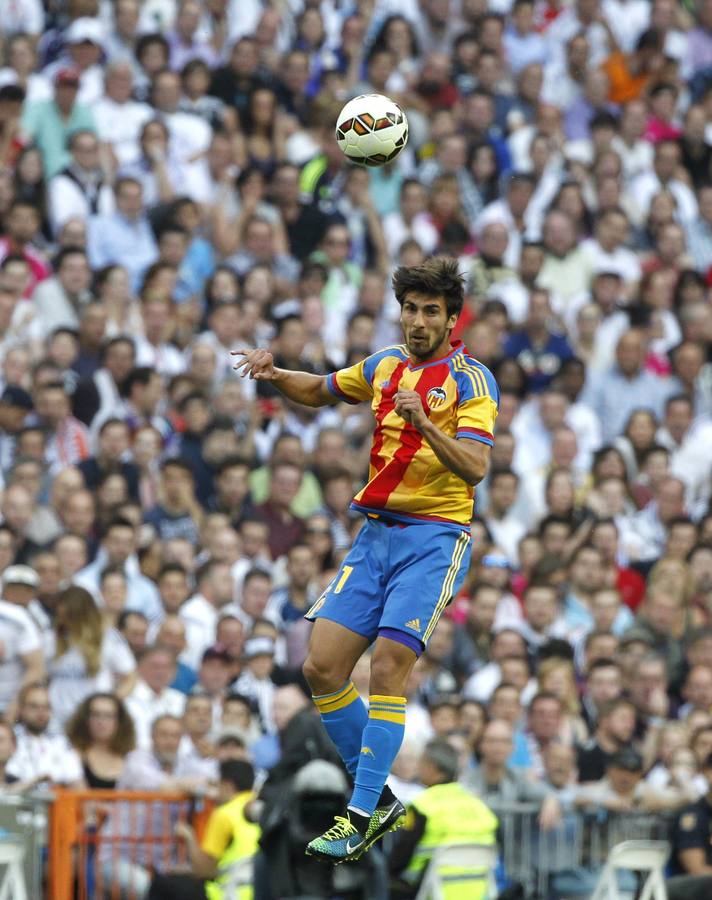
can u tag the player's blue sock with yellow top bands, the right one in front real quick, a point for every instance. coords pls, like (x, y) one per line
(382, 738)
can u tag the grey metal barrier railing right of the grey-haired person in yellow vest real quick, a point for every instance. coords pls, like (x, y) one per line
(565, 861)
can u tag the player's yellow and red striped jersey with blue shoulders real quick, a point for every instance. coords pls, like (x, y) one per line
(406, 480)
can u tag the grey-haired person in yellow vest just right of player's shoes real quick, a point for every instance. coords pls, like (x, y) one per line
(443, 814)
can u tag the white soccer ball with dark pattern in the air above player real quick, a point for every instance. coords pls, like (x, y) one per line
(371, 130)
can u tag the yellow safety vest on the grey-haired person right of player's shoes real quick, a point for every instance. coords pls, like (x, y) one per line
(453, 816)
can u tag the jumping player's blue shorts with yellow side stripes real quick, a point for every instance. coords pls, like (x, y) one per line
(396, 577)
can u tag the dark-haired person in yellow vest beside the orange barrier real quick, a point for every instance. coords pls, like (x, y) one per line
(229, 838)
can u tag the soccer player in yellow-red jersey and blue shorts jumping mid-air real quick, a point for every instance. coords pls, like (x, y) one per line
(435, 408)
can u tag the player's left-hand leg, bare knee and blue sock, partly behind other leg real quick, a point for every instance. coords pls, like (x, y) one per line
(333, 652)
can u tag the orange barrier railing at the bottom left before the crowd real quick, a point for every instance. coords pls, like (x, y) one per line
(105, 845)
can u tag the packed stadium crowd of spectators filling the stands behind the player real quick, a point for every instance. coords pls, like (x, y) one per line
(171, 190)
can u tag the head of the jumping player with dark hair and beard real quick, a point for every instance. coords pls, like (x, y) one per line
(431, 298)
